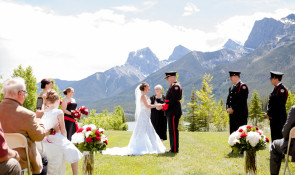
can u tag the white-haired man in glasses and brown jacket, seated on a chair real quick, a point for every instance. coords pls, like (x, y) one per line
(17, 119)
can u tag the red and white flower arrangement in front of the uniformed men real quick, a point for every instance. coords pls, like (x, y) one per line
(247, 138)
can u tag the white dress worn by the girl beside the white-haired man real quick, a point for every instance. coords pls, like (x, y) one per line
(57, 148)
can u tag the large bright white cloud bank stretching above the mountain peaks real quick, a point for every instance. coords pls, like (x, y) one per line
(74, 47)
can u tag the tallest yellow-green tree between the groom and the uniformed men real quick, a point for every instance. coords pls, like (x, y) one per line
(206, 102)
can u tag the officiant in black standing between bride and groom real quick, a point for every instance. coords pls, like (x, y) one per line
(158, 118)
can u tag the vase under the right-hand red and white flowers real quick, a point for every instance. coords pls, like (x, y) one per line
(250, 163)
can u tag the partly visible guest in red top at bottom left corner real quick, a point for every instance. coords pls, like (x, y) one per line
(8, 158)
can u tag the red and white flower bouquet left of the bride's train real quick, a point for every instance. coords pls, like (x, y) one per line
(90, 138)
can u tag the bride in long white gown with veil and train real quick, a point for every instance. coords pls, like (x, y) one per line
(144, 139)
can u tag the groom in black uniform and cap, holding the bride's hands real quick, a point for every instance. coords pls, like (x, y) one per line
(172, 108)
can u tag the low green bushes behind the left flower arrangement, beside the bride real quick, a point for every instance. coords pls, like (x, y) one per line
(108, 121)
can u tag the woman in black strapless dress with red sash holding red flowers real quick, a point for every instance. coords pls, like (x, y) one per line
(69, 104)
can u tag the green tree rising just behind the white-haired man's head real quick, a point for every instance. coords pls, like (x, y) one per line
(31, 83)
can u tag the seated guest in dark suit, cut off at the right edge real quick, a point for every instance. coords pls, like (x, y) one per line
(279, 146)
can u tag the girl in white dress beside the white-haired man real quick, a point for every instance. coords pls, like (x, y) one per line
(58, 148)
